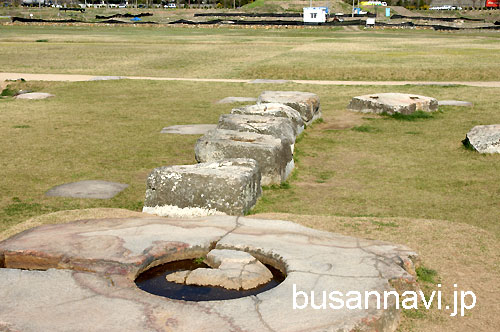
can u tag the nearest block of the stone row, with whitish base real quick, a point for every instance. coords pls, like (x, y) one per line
(229, 186)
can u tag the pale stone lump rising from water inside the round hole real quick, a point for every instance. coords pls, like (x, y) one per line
(230, 269)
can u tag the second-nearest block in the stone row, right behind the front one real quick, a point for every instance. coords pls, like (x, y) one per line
(273, 155)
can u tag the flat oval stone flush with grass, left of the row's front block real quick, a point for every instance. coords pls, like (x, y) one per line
(88, 189)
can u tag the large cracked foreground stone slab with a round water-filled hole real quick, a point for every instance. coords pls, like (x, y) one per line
(94, 289)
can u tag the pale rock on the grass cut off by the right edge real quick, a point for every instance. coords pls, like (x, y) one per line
(484, 139)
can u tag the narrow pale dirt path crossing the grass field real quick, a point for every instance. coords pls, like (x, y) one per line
(80, 78)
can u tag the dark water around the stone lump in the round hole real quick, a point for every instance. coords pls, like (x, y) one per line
(154, 281)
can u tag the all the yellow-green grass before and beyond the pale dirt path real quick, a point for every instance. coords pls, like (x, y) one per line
(409, 182)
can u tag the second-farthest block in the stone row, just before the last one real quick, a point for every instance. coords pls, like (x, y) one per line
(274, 110)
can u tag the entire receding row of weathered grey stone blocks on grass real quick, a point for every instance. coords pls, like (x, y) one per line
(250, 147)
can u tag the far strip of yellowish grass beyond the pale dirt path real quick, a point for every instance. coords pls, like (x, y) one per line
(311, 53)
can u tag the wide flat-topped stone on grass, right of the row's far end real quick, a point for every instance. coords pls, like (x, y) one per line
(392, 103)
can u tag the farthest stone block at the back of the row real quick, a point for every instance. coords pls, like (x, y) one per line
(306, 103)
